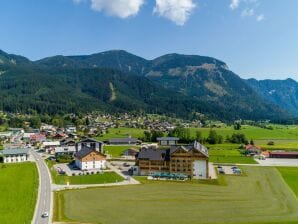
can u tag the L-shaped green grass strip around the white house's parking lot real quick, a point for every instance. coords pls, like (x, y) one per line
(104, 178)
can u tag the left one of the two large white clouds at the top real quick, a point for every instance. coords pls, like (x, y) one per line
(119, 8)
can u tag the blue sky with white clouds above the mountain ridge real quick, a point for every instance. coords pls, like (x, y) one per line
(256, 38)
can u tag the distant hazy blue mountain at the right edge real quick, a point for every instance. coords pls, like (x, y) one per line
(283, 93)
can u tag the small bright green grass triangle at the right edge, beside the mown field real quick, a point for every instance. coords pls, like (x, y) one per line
(290, 175)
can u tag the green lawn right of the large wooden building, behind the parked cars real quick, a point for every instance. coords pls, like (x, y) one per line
(228, 153)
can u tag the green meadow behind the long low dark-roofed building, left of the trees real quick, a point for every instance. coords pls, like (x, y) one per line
(122, 133)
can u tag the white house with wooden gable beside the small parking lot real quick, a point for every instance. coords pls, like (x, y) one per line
(89, 159)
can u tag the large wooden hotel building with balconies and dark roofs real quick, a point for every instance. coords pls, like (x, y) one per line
(191, 160)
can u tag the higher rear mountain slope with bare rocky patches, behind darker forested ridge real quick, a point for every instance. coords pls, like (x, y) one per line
(202, 79)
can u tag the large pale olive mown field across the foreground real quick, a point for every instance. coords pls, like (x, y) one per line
(259, 197)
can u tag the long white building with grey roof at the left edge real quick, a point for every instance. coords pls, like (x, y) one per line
(15, 155)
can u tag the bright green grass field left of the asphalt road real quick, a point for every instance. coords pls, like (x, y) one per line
(18, 192)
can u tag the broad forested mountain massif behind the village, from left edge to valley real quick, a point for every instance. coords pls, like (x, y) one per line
(117, 81)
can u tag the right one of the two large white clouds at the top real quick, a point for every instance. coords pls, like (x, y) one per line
(177, 11)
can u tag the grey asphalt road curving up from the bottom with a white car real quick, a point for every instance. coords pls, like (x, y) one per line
(44, 200)
